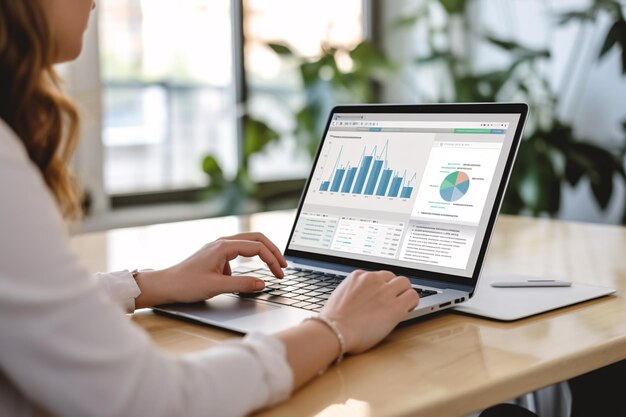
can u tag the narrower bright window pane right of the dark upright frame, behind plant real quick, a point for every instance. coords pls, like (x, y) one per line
(275, 91)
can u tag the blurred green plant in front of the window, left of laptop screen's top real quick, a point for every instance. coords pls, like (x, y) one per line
(325, 83)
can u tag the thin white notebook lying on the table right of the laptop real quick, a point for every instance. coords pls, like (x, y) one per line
(509, 304)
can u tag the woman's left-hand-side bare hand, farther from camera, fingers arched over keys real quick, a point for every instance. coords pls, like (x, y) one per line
(207, 273)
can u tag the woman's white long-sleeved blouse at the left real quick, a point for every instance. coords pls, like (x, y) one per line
(67, 348)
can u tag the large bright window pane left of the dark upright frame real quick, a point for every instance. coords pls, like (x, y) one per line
(168, 92)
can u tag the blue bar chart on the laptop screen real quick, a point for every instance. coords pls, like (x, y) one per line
(372, 175)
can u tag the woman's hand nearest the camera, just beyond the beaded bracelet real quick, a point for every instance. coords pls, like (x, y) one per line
(367, 306)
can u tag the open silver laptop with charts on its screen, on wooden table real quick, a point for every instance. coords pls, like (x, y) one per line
(414, 189)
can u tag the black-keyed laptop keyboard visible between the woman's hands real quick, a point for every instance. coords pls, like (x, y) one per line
(299, 288)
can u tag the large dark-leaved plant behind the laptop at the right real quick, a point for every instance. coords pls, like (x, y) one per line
(550, 155)
